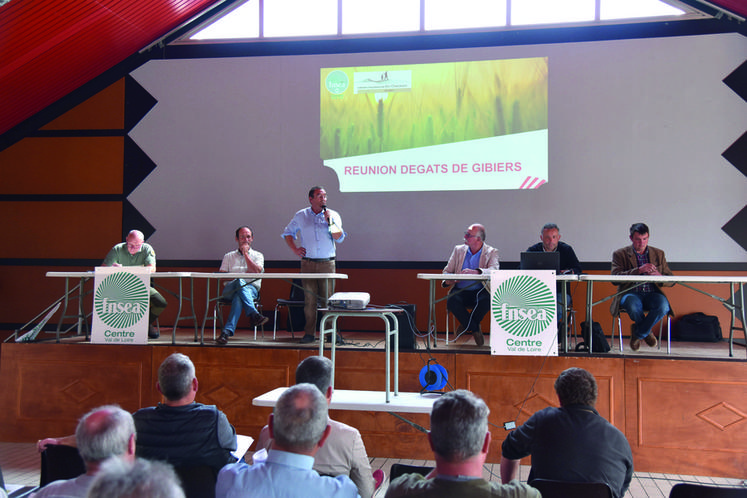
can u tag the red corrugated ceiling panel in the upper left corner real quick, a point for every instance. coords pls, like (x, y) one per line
(48, 48)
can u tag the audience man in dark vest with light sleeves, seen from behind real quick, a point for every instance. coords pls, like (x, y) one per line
(180, 430)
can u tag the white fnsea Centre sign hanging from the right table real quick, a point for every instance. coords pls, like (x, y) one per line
(523, 313)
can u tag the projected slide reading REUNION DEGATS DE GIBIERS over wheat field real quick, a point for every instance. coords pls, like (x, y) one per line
(479, 125)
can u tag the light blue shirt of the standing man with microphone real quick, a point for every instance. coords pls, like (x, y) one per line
(313, 233)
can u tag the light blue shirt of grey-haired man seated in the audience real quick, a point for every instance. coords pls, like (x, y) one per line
(282, 475)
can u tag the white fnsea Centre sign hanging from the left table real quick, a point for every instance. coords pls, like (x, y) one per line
(121, 299)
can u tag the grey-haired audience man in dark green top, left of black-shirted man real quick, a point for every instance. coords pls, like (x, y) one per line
(460, 439)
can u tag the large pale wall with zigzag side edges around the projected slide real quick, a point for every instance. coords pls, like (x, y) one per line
(636, 128)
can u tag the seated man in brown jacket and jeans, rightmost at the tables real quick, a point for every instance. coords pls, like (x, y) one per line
(641, 259)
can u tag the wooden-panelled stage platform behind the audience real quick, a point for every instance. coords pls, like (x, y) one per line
(684, 413)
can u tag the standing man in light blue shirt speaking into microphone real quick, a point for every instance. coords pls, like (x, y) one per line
(317, 230)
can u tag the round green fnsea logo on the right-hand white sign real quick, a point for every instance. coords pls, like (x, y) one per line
(523, 306)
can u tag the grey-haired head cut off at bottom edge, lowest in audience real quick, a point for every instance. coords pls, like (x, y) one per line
(140, 479)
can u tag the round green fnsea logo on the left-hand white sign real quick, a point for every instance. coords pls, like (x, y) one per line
(121, 300)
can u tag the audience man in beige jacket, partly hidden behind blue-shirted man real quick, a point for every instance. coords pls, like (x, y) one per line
(343, 452)
